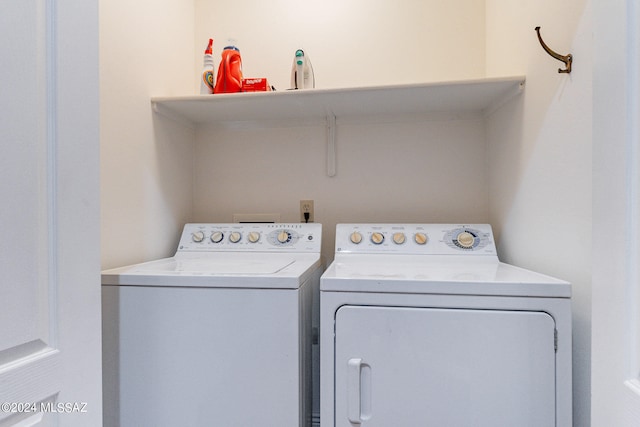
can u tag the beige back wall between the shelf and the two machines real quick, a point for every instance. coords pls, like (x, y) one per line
(404, 170)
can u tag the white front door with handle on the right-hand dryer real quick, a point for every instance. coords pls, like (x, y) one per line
(399, 366)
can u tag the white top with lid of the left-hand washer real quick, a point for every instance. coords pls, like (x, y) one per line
(227, 269)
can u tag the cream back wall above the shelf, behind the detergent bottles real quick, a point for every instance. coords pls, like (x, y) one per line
(351, 43)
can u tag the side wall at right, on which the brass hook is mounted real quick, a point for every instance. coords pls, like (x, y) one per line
(540, 156)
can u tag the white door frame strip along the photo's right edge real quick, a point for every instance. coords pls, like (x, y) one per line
(616, 214)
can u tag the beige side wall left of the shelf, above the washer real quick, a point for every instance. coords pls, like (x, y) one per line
(146, 48)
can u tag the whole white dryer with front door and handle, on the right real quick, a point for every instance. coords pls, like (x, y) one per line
(422, 325)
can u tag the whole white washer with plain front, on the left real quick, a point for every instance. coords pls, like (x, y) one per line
(219, 334)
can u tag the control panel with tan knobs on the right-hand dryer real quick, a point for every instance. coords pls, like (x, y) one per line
(427, 239)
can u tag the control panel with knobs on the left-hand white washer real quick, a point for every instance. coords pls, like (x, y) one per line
(258, 237)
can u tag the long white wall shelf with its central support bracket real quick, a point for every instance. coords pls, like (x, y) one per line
(483, 96)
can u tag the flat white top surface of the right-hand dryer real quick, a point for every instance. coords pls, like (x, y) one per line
(446, 275)
